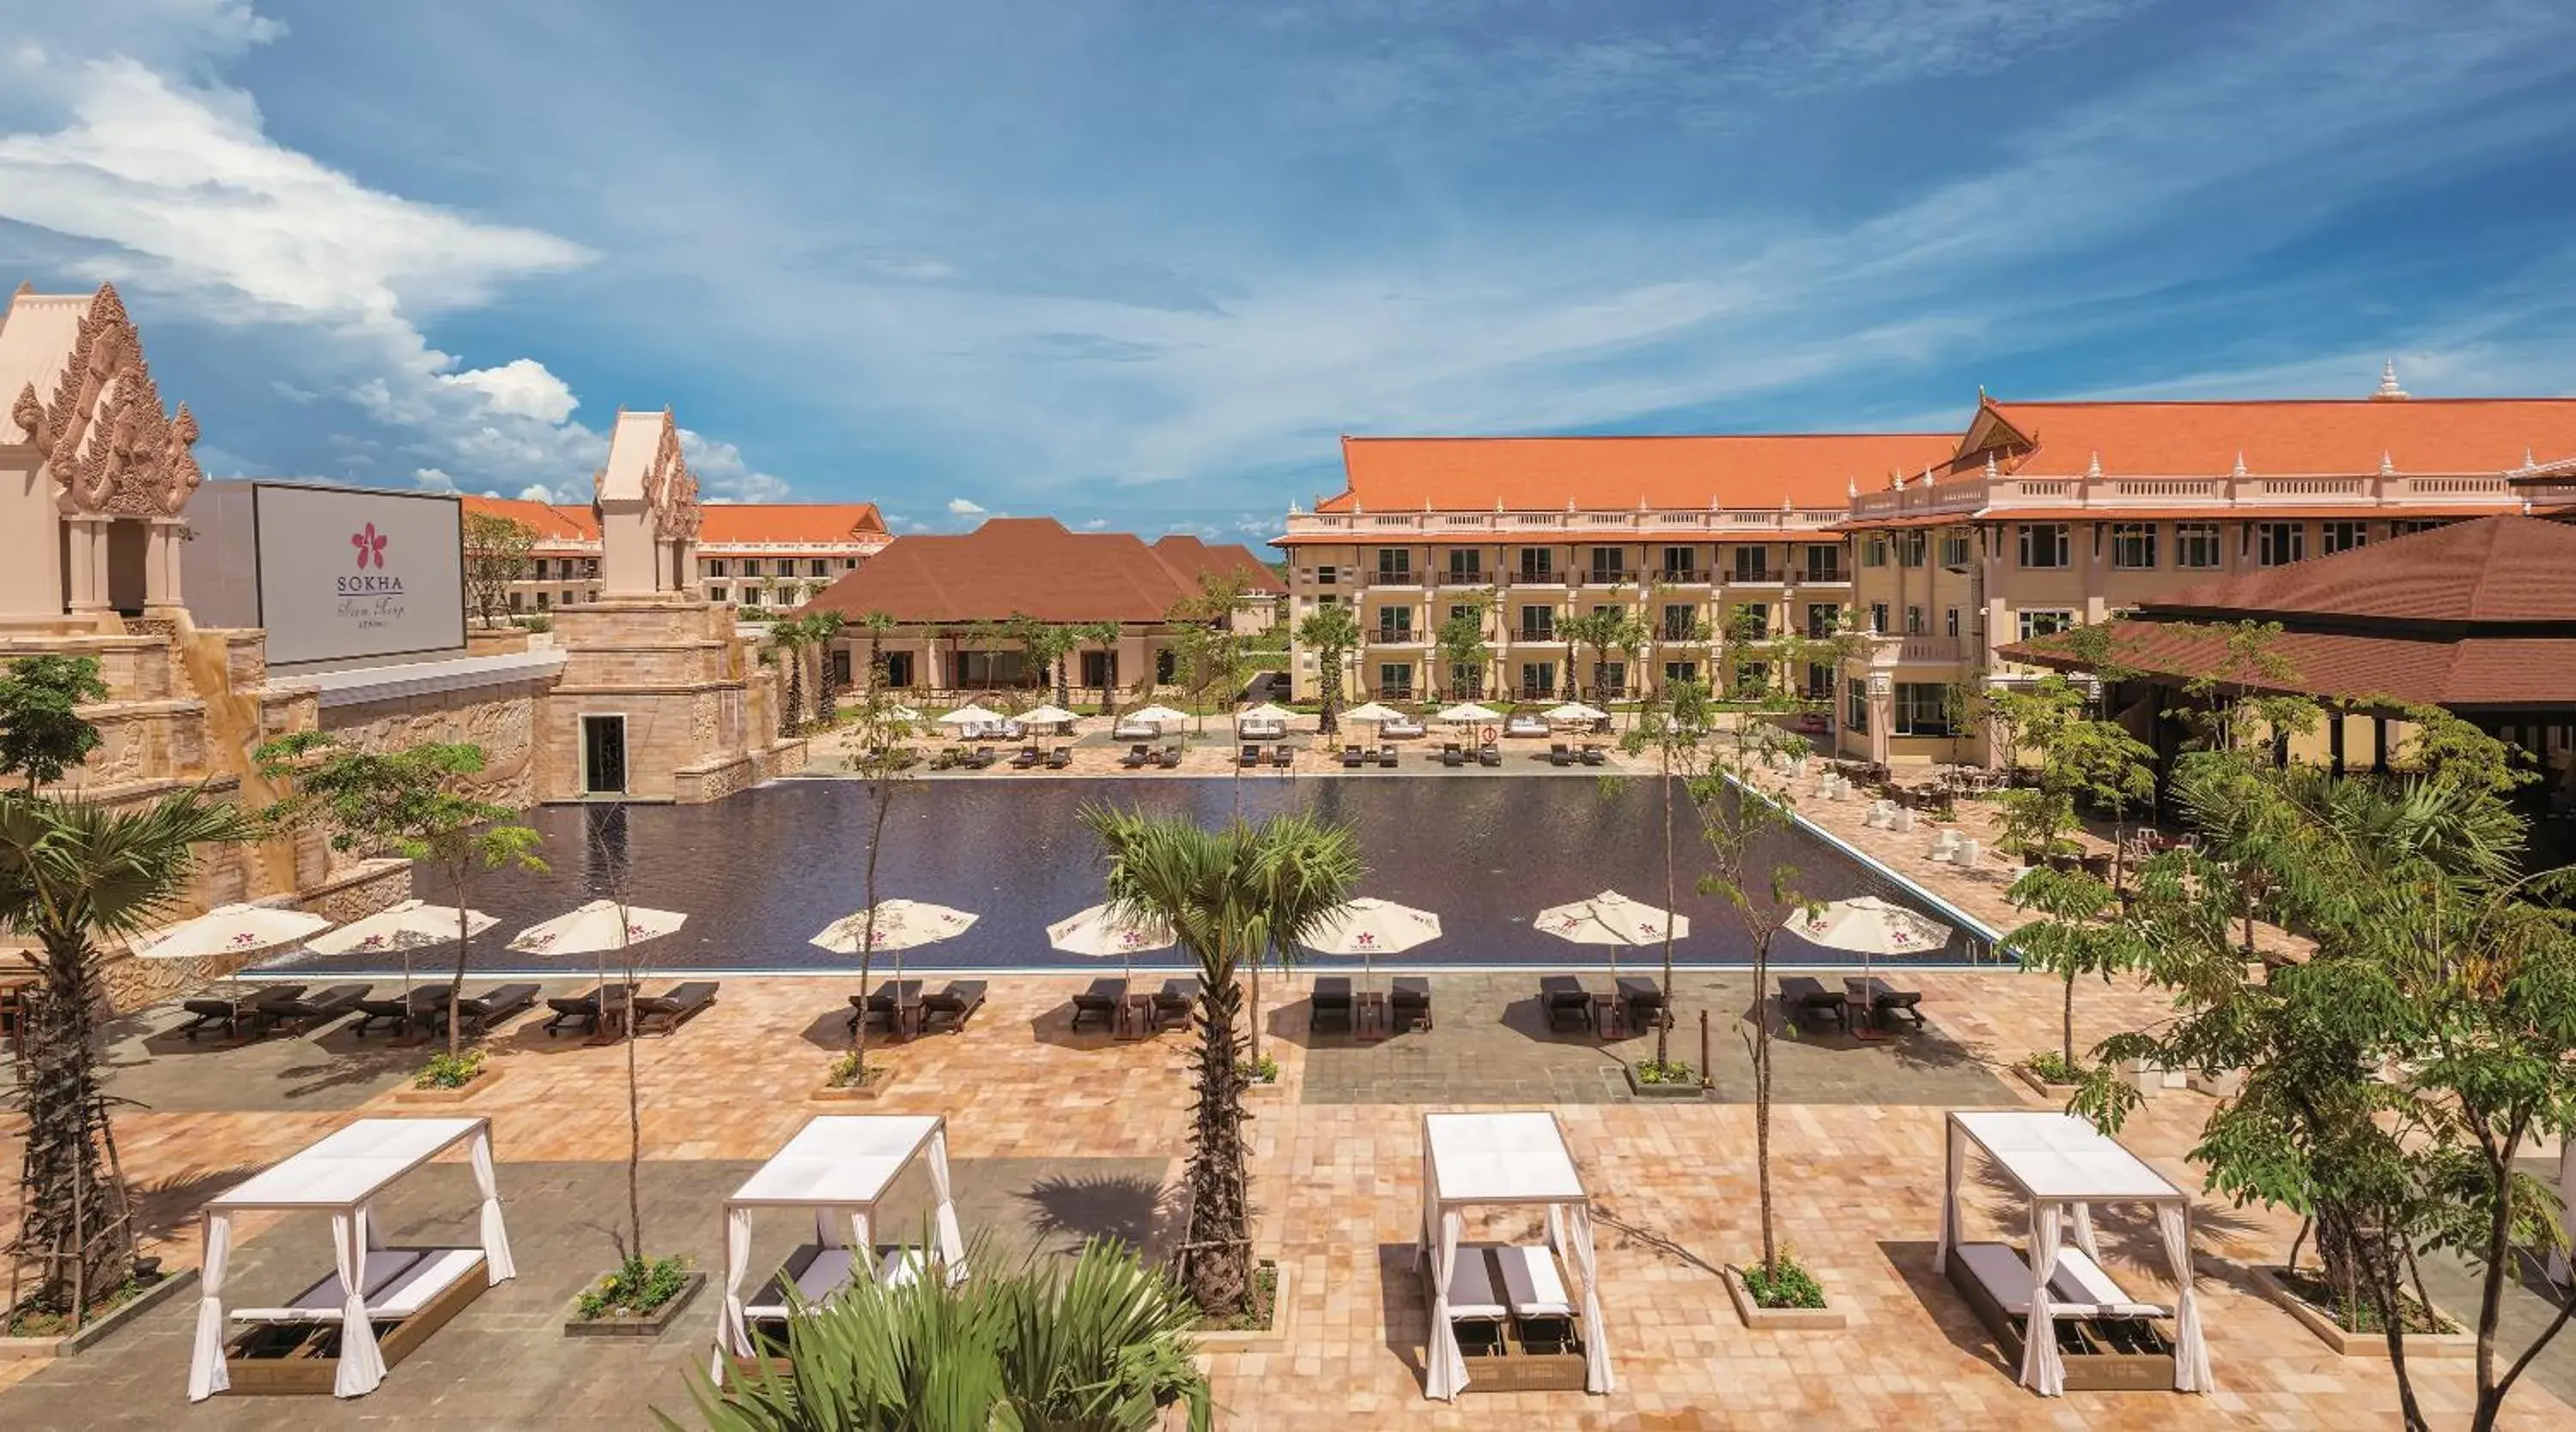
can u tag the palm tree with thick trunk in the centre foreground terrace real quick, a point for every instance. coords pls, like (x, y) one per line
(1227, 895)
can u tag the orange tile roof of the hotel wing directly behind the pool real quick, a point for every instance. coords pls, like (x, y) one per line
(1534, 475)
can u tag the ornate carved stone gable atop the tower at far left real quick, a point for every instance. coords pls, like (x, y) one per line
(104, 437)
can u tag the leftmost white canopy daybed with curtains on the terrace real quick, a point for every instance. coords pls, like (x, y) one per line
(290, 1348)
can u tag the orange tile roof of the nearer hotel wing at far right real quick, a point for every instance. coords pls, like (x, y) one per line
(2299, 437)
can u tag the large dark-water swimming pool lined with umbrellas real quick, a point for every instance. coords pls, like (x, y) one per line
(764, 872)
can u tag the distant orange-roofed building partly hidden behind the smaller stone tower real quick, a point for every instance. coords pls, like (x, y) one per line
(751, 555)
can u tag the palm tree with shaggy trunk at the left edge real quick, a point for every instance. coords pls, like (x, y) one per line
(76, 874)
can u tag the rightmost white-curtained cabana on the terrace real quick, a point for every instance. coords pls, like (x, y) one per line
(2062, 1168)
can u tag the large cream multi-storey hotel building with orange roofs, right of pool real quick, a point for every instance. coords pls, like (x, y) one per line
(1941, 547)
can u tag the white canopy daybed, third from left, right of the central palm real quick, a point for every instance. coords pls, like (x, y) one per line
(1508, 1160)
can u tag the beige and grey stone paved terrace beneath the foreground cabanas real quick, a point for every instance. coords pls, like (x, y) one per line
(1060, 1132)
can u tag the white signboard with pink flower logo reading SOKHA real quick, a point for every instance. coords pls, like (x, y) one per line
(352, 573)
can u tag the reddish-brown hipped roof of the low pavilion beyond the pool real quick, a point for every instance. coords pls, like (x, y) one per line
(1029, 568)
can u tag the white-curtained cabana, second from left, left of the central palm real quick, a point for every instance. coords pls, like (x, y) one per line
(841, 1168)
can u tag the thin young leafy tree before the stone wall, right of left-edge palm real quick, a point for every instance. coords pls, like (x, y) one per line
(413, 802)
